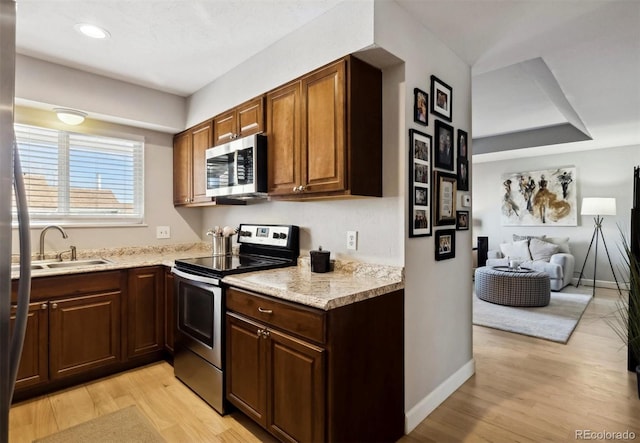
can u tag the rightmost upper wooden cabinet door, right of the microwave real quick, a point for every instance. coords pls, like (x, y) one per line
(323, 130)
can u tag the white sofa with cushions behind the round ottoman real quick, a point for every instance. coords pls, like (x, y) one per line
(546, 254)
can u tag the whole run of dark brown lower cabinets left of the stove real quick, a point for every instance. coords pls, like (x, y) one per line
(83, 326)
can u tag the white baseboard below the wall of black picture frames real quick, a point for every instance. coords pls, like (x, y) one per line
(428, 404)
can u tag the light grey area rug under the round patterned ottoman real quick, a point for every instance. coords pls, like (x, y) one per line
(554, 322)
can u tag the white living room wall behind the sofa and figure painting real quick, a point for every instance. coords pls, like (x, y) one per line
(600, 173)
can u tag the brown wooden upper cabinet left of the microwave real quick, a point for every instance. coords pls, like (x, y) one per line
(189, 182)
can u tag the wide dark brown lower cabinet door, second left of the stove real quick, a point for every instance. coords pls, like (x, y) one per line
(84, 333)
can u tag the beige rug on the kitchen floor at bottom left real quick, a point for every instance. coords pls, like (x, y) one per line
(126, 425)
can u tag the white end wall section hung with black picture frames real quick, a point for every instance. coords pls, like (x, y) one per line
(438, 336)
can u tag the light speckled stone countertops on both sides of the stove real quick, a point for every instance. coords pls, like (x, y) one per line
(350, 282)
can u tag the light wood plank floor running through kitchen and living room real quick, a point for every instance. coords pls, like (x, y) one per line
(524, 390)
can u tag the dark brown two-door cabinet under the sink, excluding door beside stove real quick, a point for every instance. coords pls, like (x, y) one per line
(73, 330)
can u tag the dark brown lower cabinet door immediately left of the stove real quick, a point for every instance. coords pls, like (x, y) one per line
(145, 311)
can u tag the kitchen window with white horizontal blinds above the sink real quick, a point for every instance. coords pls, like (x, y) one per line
(79, 178)
